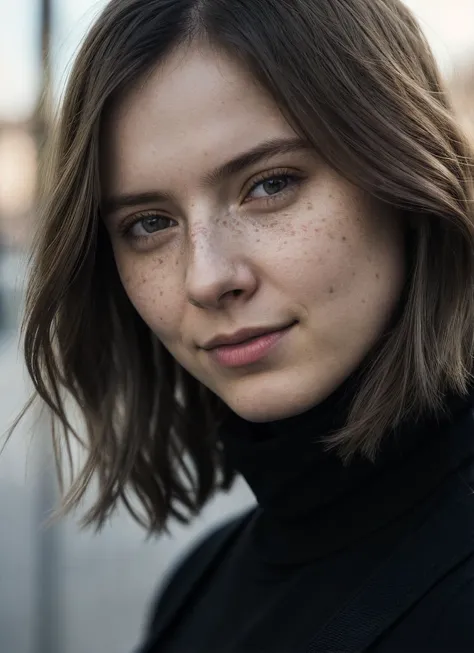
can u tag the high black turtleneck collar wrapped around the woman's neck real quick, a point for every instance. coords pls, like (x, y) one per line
(310, 503)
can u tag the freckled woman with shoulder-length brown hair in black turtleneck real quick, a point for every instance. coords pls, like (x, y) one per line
(257, 256)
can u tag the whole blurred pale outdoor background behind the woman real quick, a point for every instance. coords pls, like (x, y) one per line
(63, 590)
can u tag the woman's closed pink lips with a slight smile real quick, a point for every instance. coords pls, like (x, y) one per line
(245, 346)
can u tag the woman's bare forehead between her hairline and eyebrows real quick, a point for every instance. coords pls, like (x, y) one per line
(196, 109)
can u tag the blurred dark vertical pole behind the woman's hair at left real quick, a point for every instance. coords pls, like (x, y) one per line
(47, 608)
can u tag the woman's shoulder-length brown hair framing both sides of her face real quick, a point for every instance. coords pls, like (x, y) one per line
(357, 79)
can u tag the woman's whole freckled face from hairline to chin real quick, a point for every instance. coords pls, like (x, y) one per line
(225, 226)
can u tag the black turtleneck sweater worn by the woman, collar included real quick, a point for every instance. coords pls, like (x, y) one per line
(270, 580)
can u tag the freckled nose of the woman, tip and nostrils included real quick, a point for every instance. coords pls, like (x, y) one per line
(218, 272)
